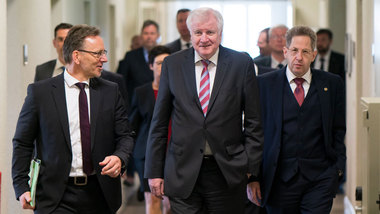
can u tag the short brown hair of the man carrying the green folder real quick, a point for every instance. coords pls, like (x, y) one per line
(75, 39)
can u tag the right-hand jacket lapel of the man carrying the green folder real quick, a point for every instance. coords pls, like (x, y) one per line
(94, 106)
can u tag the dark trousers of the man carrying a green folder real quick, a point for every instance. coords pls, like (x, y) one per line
(87, 199)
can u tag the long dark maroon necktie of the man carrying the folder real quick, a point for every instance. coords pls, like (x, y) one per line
(85, 130)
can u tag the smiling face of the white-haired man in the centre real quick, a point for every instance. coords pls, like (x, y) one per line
(205, 36)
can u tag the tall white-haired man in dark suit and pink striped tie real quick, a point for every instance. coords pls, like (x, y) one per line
(204, 91)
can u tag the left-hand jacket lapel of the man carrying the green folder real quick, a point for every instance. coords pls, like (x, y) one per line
(59, 98)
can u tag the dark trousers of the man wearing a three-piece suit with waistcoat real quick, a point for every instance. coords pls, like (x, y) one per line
(299, 195)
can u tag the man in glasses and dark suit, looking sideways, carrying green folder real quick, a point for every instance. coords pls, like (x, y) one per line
(80, 160)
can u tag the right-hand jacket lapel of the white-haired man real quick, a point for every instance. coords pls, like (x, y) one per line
(223, 64)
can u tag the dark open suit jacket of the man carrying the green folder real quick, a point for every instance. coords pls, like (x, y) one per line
(44, 119)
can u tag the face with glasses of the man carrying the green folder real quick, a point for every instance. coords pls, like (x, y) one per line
(90, 64)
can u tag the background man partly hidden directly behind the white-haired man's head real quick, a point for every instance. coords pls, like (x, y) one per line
(183, 42)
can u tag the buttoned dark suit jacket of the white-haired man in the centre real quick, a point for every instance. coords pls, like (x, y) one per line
(236, 150)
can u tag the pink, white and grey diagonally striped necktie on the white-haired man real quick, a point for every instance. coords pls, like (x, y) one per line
(204, 87)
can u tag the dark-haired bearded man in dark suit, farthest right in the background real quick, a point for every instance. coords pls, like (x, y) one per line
(327, 59)
